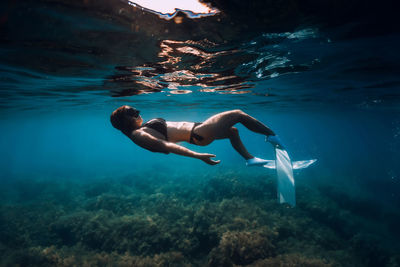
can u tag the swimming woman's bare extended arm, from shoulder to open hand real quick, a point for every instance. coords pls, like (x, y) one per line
(149, 142)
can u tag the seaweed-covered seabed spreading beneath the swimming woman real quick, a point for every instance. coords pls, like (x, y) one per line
(221, 220)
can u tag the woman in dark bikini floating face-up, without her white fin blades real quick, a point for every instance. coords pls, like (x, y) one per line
(158, 135)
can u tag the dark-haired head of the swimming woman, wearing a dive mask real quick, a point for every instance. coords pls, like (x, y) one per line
(126, 119)
